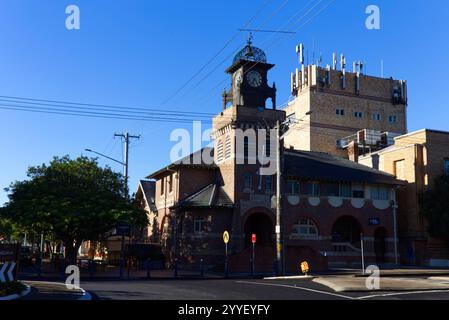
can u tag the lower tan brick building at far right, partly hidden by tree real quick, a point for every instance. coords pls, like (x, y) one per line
(418, 158)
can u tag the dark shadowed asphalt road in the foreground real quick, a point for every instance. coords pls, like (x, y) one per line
(246, 290)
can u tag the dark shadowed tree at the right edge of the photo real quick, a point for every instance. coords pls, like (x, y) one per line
(434, 205)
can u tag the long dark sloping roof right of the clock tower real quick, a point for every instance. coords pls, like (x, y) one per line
(327, 167)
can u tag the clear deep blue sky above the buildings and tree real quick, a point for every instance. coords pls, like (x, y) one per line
(138, 53)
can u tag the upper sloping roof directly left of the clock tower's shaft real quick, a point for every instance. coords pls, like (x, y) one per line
(195, 159)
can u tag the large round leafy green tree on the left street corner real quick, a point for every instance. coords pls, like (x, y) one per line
(72, 201)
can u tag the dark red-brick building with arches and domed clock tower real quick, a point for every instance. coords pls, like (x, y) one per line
(328, 202)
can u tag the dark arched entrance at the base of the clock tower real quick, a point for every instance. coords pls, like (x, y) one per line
(261, 225)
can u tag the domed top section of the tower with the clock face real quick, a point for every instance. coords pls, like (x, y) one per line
(249, 79)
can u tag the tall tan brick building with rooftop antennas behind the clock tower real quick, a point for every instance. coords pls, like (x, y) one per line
(334, 106)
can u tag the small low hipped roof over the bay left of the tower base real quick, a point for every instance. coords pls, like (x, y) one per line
(212, 195)
